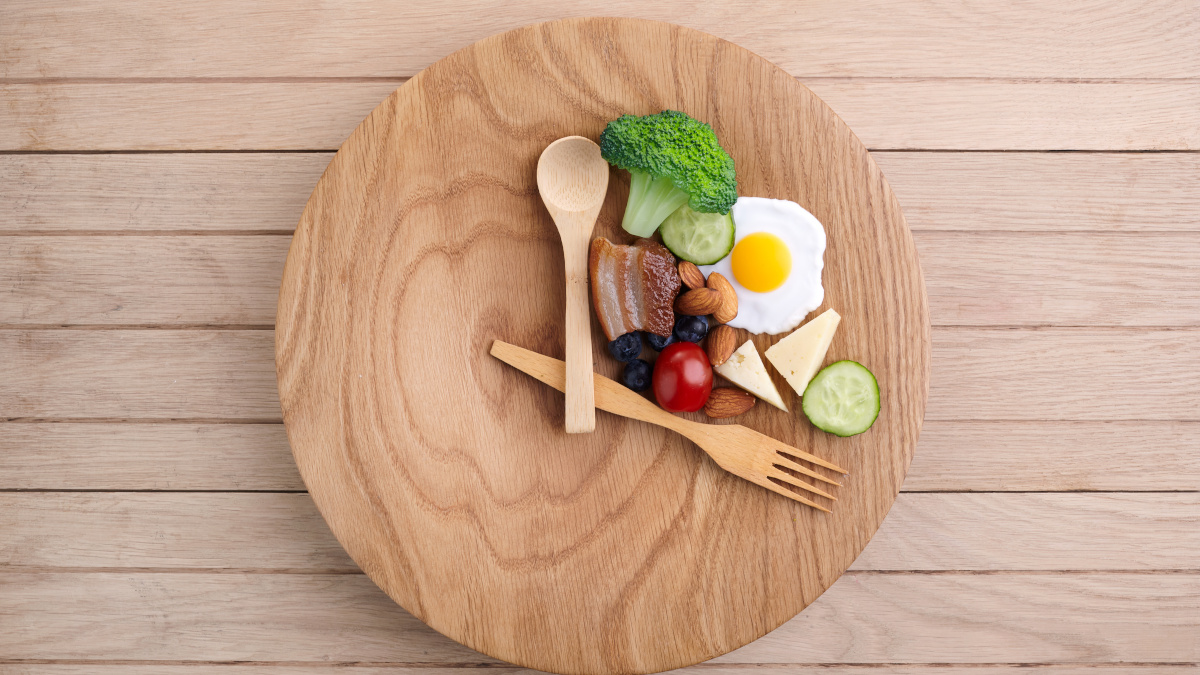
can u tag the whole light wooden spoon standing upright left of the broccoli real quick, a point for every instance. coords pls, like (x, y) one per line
(573, 180)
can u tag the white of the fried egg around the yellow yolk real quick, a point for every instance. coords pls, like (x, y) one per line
(785, 308)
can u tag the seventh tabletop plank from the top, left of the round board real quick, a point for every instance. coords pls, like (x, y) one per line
(172, 530)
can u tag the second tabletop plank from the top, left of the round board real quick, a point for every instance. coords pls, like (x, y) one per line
(220, 116)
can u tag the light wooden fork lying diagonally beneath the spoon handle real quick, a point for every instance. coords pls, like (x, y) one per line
(739, 450)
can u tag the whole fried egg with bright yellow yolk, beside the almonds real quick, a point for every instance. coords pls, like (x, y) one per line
(776, 265)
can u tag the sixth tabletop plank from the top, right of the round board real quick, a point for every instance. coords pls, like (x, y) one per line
(1057, 456)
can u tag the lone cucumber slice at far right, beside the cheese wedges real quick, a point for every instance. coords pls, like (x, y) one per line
(843, 399)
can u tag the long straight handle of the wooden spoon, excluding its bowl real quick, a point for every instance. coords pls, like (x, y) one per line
(581, 415)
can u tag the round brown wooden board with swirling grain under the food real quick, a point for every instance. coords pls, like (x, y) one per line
(447, 475)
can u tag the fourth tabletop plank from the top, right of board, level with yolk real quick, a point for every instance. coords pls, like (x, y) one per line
(1061, 279)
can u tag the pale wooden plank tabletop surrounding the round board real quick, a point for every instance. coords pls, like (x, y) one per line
(158, 154)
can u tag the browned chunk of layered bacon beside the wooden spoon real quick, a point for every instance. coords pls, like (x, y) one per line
(633, 288)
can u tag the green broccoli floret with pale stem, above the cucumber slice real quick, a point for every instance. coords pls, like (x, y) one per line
(673, 160)
